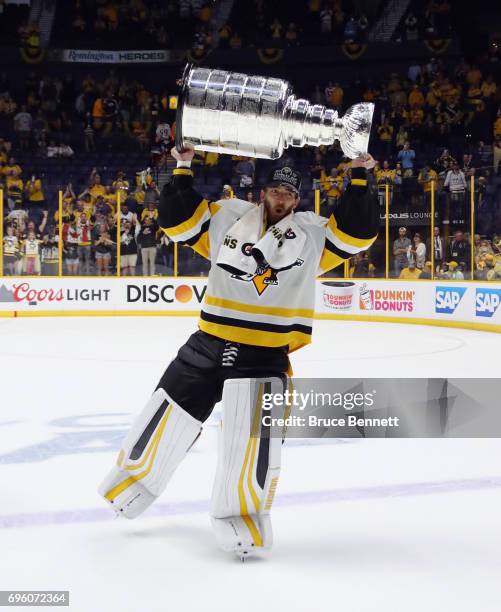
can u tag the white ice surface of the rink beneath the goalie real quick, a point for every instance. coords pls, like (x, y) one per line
(407, 525)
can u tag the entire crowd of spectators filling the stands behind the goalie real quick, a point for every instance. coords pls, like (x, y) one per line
(436, 127)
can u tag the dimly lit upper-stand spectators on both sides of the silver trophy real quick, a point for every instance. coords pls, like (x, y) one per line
(432, 107)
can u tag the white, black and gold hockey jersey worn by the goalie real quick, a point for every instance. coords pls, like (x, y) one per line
(274, 308)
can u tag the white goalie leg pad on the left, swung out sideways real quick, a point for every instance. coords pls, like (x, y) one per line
(156, 444)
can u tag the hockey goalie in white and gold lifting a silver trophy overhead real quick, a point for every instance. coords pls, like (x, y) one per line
(257, 309)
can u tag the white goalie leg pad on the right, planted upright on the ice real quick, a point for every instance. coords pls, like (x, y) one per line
(248, 466)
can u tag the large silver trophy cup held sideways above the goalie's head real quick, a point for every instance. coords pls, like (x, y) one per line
(255, 116)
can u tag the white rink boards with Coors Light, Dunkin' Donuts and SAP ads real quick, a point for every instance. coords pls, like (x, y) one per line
(457, 304)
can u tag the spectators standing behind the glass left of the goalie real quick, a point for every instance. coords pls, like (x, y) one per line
(94, 221)
